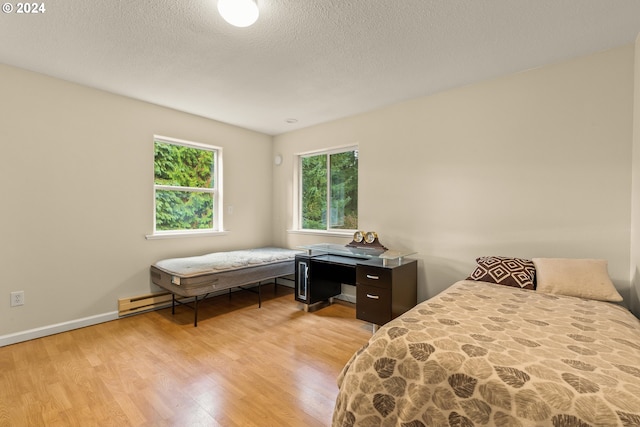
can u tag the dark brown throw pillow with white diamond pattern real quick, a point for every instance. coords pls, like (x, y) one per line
(516, 272)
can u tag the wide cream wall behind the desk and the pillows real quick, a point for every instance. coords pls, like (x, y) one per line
(535, 164)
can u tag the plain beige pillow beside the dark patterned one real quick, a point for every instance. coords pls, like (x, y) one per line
(583, 278)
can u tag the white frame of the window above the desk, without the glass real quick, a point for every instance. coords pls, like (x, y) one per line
(297, 227)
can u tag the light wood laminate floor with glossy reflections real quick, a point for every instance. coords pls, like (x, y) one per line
(242, 366)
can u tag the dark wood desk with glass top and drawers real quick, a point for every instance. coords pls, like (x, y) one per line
(384, 289)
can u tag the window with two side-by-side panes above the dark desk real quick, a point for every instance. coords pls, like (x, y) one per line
(329, 190)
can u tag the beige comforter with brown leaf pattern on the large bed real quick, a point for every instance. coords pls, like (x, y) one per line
(480, 354)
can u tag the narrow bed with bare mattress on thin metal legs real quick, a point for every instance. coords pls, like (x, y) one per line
(198, 276)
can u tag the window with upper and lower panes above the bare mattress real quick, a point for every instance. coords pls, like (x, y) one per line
(186, 186)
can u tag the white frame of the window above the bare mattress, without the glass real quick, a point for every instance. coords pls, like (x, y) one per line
(216, 191)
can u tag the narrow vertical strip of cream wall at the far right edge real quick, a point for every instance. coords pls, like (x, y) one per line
(635, 193)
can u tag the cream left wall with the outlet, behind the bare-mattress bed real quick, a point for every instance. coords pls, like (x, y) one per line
(77, 196)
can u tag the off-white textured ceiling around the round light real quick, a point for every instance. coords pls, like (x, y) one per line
(312, 60)
